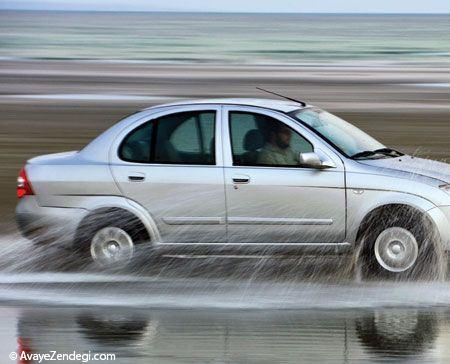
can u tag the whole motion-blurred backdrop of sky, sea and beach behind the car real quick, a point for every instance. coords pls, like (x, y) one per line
(70, 69)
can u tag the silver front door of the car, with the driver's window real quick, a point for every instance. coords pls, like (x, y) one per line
(269, 201)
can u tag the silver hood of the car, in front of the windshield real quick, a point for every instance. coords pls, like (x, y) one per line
(416, 167)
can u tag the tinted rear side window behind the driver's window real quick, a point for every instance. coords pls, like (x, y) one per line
(181, 138)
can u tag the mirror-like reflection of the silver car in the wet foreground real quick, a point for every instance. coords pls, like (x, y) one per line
(200, 336)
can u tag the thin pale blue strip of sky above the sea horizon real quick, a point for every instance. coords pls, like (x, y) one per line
(289, 6)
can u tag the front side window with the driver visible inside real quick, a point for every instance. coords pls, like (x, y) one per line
(259, 140)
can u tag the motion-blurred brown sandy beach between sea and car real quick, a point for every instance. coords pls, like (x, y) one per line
(52, 106)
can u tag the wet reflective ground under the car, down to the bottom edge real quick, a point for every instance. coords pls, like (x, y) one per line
(215, 311)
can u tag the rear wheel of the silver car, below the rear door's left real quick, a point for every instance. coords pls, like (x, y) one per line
(109, 240)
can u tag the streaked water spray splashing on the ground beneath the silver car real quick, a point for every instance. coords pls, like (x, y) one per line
(43, 274)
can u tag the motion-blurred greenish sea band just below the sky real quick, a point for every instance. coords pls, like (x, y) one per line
(231, 38)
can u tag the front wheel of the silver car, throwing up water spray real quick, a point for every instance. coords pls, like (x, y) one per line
(401, 245)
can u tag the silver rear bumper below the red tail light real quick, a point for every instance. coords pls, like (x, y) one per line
(47, 224)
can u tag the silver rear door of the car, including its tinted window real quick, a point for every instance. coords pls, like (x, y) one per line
(169, 165)
